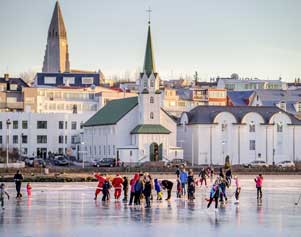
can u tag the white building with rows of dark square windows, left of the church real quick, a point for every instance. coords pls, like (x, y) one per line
(38, 134)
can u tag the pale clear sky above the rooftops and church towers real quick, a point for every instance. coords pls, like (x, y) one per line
(254, 38)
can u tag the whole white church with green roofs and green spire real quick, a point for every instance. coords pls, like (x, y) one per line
(134, 129)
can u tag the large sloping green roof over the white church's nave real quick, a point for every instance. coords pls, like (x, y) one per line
(112, 112)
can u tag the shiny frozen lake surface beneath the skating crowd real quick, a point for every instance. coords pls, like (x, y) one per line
(68, 209)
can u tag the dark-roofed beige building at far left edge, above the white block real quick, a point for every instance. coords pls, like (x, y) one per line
(11, 95)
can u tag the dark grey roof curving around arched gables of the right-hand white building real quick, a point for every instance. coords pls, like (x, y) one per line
(207, 114)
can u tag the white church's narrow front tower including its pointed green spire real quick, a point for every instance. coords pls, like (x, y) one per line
(149, 93)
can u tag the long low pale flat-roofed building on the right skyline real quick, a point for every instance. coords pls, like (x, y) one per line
(236, 84)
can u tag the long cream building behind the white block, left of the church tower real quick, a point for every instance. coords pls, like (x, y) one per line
(69, 99)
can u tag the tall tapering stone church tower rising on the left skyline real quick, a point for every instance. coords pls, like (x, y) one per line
(56, 57)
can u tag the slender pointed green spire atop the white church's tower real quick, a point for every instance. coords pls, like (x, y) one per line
(149, 61)
